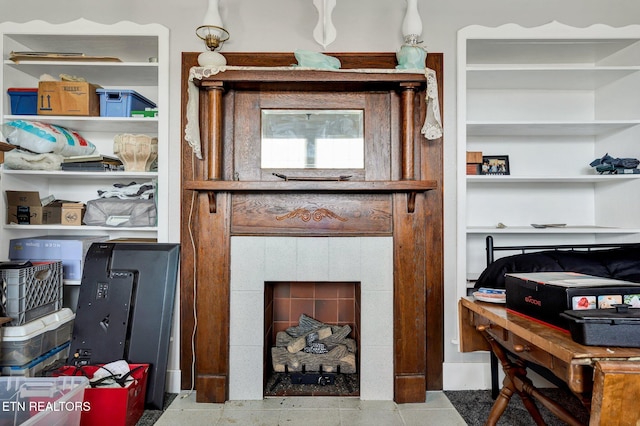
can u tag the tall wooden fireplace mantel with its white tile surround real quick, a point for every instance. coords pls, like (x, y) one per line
(245, 225)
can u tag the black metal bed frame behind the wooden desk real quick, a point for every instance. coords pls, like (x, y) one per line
(491, 249)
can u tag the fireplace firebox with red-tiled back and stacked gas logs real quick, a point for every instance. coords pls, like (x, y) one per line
(312, 338)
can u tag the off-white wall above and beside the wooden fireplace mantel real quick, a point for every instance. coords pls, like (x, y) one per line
(362, 25)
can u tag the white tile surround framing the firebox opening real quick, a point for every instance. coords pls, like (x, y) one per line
(255, 260)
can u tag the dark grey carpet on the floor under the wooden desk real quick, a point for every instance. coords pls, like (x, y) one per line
(474, 407)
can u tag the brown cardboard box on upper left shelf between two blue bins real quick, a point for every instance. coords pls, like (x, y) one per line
(68, 98)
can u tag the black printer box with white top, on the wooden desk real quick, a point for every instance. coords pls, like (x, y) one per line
(543, 296)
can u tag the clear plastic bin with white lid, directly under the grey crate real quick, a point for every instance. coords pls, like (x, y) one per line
(22, 344)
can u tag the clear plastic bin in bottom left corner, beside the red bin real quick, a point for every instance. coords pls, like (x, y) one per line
(42, 401)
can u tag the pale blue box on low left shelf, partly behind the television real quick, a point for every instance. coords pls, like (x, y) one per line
(70, 249)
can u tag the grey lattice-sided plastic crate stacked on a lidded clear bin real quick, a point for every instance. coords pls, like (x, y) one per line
(32, 292)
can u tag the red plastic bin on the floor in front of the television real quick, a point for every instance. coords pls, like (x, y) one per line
(112, 406)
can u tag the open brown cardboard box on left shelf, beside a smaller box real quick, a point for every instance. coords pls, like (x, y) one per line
(26, 208)
